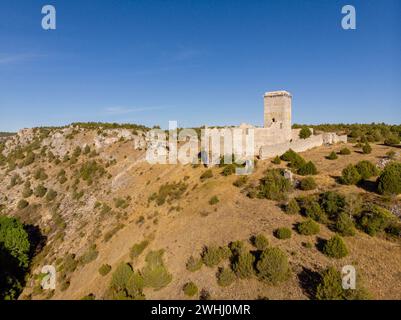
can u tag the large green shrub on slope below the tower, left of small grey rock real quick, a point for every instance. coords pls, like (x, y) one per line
(274, 185)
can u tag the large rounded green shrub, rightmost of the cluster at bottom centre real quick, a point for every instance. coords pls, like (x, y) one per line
(273, 266)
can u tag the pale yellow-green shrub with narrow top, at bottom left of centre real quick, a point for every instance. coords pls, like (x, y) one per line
(155, 274)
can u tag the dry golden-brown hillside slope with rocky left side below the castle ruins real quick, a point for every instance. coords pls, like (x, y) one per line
(91, 196)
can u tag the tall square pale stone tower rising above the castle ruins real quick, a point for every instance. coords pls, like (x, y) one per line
(277, 112)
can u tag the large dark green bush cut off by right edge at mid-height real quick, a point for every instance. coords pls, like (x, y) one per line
(389, 181)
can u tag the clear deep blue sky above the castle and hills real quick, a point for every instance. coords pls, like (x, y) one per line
(197, 61)
